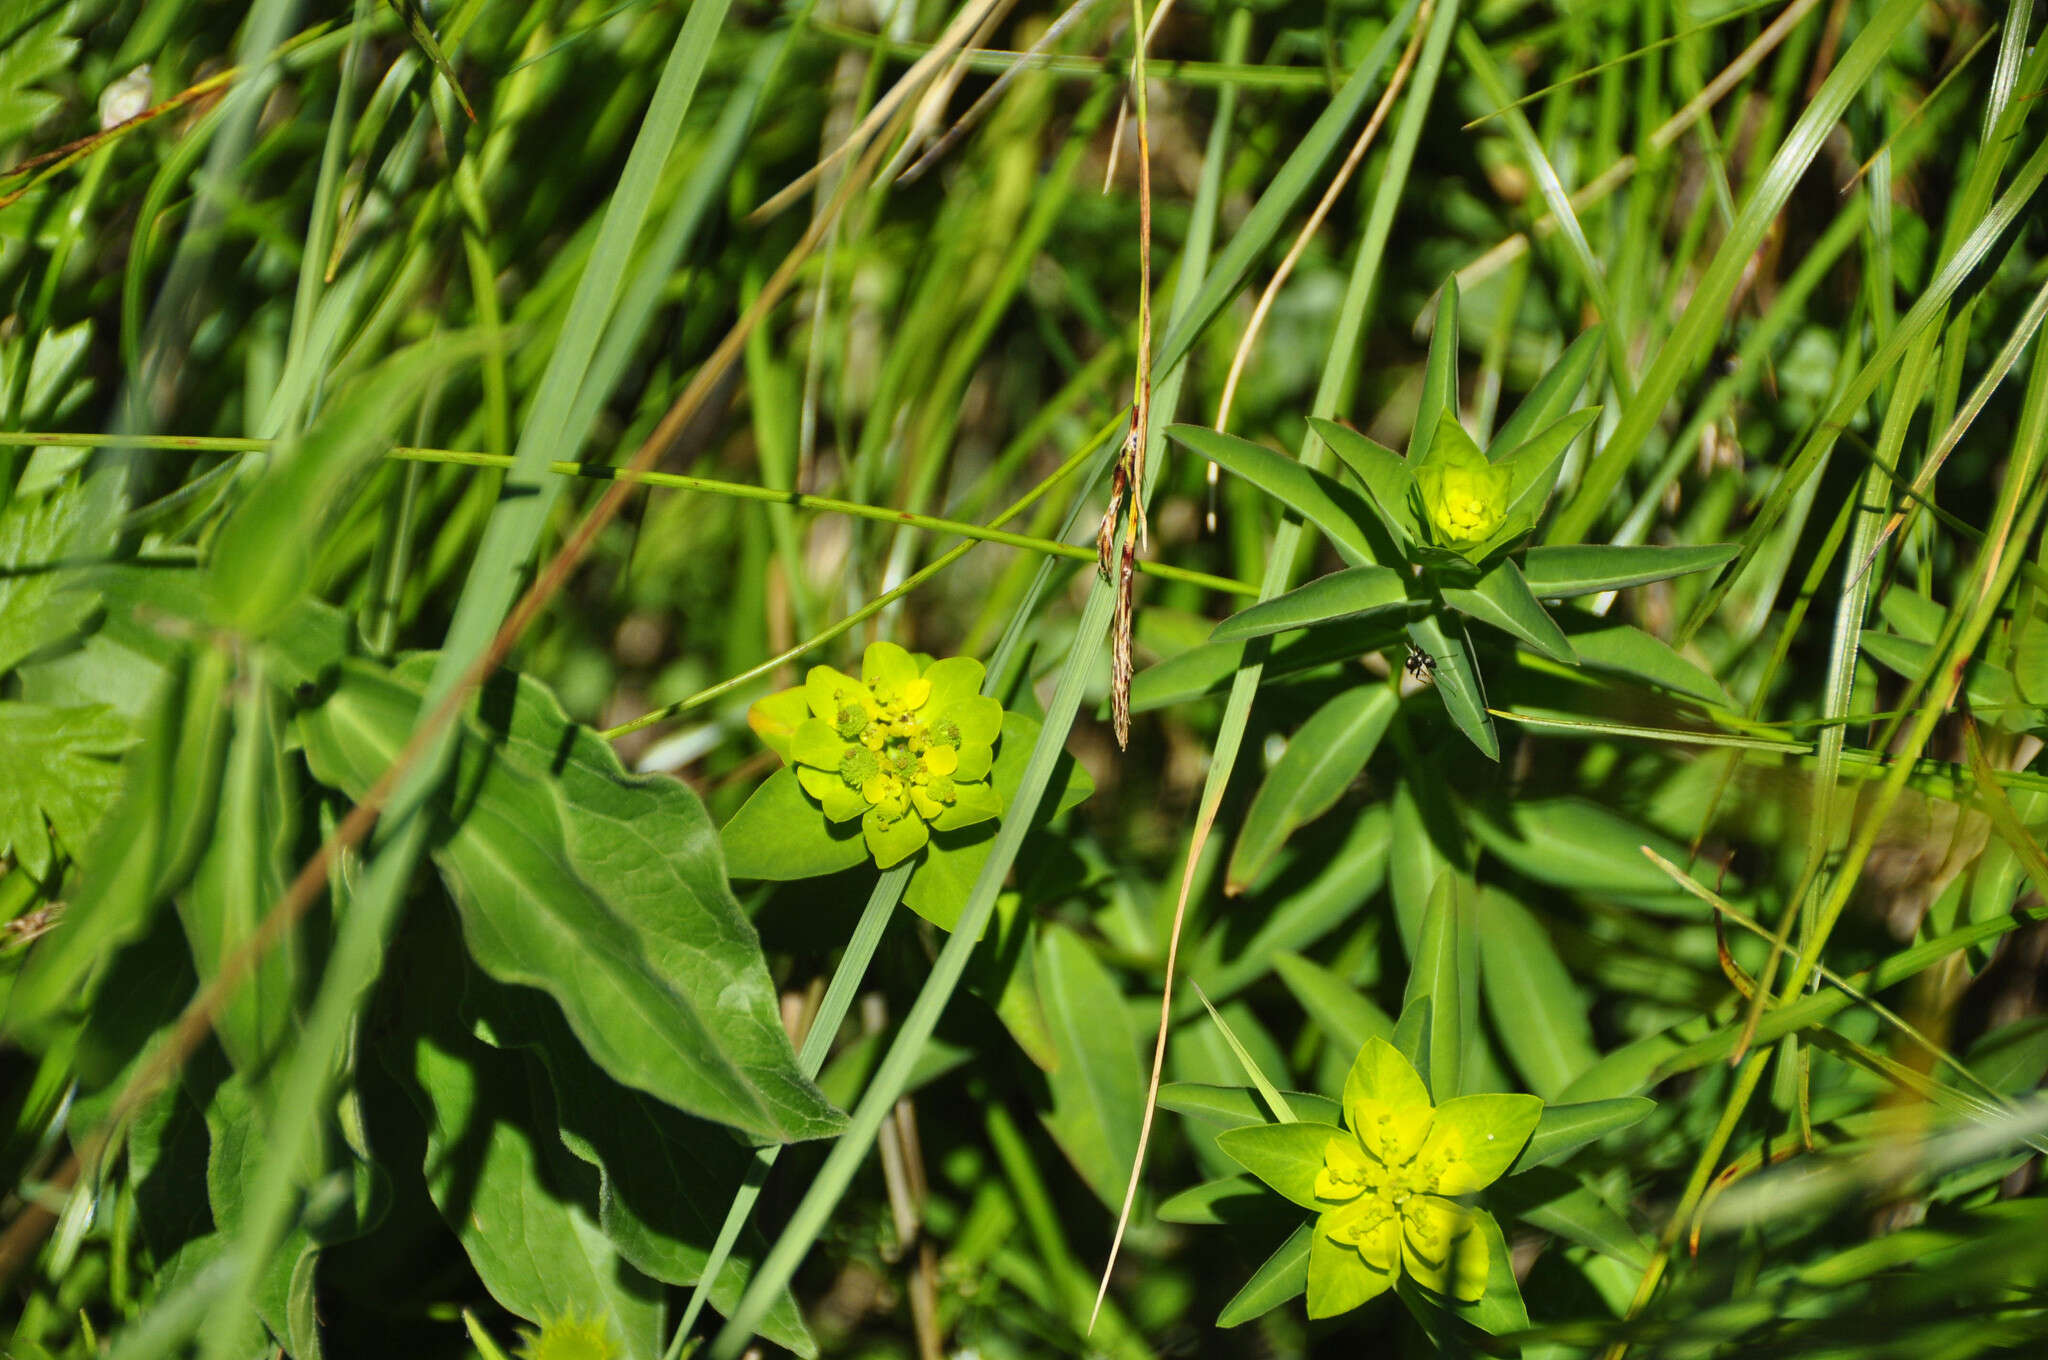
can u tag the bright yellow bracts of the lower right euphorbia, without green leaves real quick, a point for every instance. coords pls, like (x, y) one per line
(1390, 1179)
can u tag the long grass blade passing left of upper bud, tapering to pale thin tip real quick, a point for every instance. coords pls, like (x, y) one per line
(1334, 388)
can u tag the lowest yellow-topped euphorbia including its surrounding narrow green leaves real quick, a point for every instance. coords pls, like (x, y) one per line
(1390, 1171)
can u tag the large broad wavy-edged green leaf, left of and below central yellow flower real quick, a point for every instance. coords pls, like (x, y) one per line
(603, 890)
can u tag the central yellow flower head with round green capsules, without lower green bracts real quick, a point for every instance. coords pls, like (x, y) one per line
(902, 749)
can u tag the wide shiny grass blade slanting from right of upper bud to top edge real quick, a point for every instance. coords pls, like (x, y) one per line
(1707, 312)
